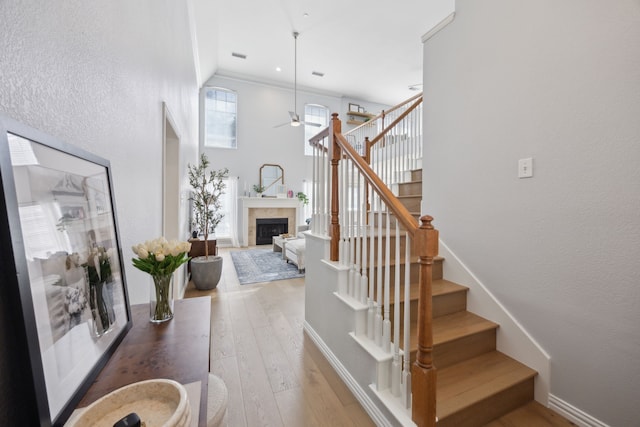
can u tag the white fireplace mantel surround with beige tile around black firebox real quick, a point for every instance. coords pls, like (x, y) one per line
(266, 207)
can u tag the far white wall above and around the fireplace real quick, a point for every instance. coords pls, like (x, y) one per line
(262, 106)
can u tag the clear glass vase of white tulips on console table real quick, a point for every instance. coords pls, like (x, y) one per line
(160, 259)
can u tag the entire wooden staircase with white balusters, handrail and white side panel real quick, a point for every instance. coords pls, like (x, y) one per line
(376, 288)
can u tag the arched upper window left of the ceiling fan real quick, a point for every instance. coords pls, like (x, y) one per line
(220, 108)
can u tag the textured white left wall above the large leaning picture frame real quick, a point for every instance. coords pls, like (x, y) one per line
(95, 75)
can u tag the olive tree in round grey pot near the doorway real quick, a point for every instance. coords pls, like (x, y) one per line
(208, 187)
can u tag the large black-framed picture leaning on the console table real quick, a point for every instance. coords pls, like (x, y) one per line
(63, 267)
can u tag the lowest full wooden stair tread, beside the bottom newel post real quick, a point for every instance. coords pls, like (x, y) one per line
(466, 383)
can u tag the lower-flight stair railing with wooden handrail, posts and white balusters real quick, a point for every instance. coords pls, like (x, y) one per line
(367, 225)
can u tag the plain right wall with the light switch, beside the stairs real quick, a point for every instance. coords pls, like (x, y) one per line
(559, 82)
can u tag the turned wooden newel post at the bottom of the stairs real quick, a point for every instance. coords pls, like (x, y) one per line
(423, 374)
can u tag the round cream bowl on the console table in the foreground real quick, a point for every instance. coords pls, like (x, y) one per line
(158, 402)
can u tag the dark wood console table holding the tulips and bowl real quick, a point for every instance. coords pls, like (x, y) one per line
(176, 350)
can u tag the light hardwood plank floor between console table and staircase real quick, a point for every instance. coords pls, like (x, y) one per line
(274, 373)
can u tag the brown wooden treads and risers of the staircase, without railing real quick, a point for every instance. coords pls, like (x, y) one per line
(476, 383)
